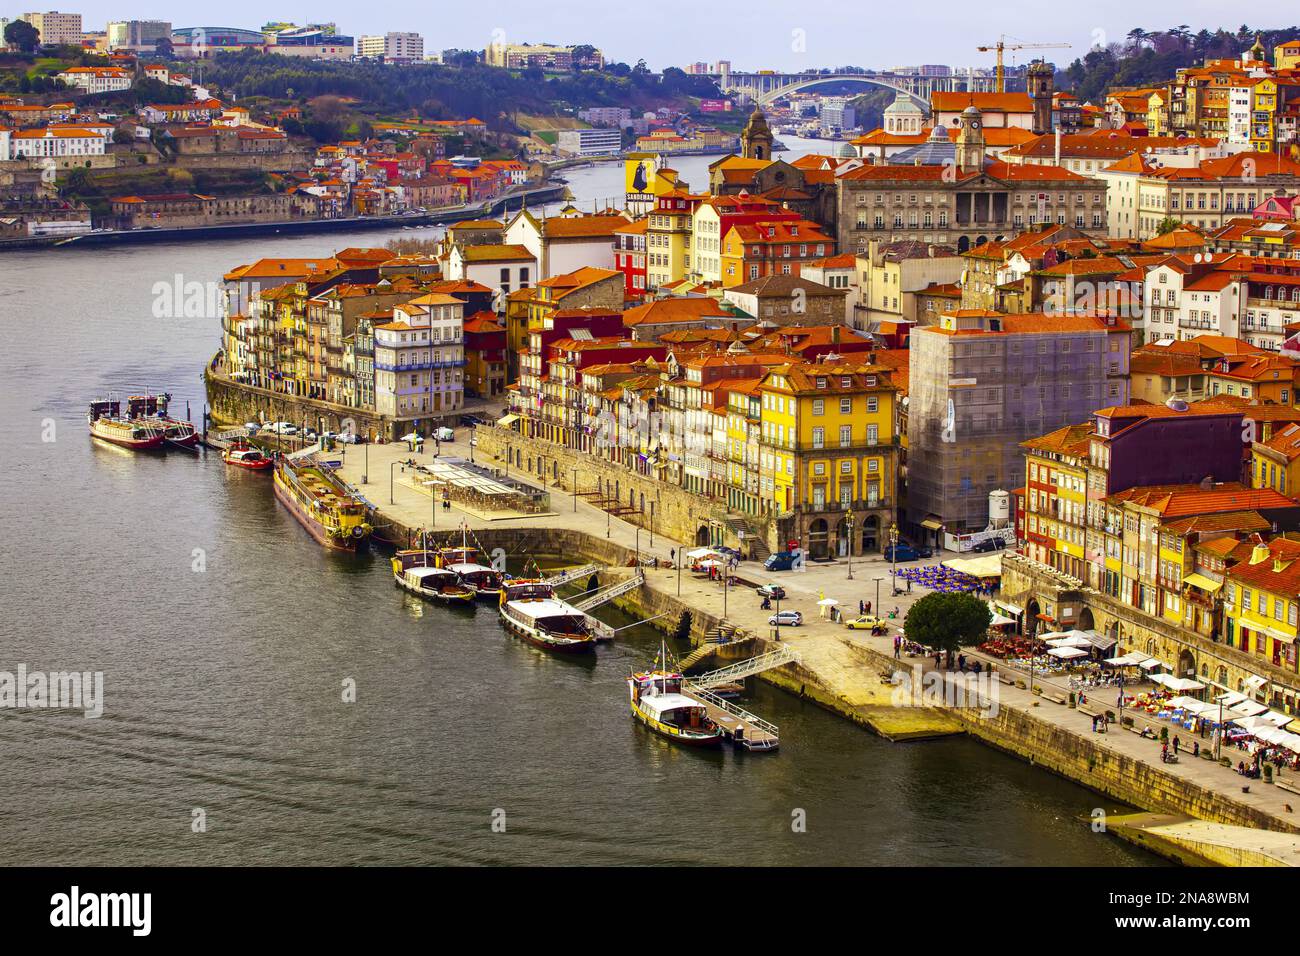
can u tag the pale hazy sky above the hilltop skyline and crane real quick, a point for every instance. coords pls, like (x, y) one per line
(765, 34)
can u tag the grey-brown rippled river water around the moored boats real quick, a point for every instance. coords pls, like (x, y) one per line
(227, 638)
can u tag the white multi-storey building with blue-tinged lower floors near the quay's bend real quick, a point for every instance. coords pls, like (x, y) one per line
(421, 357)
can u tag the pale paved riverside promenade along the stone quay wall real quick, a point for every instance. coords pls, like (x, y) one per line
(846, 664)
